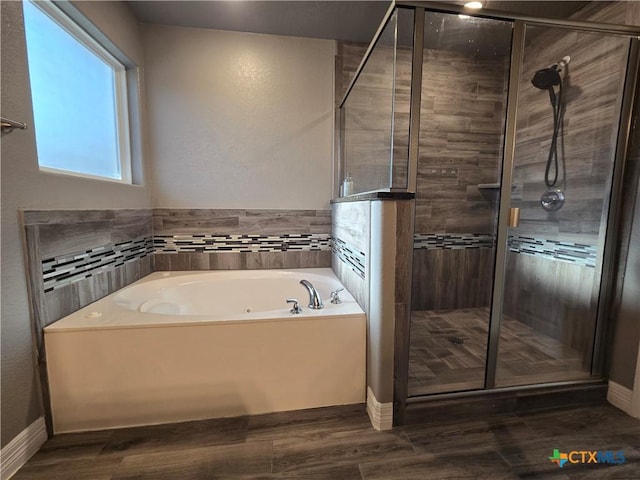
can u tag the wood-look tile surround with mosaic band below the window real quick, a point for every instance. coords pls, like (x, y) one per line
(79, 244)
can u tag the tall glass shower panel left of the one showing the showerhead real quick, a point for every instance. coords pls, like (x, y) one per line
(464, 98)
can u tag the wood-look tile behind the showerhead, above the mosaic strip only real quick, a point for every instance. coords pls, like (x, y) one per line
(592, 95)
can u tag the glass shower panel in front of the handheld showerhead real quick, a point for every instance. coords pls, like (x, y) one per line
(569, 96)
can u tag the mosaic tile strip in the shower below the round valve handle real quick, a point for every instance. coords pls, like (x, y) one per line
(577, 253)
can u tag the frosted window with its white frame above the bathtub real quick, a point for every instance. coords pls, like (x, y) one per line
(79, 98)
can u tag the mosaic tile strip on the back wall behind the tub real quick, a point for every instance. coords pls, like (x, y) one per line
(240, 243)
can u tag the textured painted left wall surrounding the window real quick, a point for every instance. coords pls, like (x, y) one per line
(23, 186)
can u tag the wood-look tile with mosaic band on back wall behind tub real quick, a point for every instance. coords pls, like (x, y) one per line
(275, 236)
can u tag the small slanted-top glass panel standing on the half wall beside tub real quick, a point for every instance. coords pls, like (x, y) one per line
(368, 118)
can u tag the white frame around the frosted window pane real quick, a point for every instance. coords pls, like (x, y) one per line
(120, 93)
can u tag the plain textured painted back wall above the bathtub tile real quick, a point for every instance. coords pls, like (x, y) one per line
(239, 120)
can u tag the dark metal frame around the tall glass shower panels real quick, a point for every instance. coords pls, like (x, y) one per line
(520, 22)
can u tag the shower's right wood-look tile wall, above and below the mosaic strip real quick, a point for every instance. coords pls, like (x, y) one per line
(557, 298)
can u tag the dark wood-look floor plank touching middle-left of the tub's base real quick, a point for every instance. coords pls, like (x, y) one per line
(176, 436)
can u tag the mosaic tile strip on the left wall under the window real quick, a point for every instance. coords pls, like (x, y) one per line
(64, 270)
